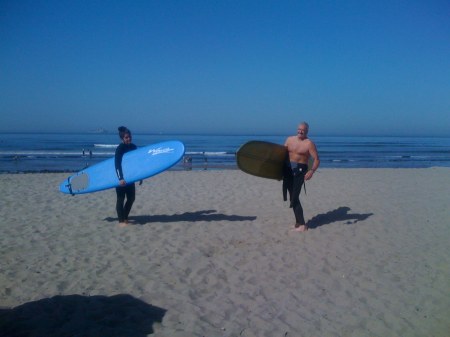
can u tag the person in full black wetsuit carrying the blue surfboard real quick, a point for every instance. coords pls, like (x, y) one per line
(125, 189)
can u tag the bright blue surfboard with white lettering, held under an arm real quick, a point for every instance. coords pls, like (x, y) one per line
(139, 164)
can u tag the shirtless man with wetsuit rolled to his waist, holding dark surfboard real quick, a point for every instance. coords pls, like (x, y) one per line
(300, 148)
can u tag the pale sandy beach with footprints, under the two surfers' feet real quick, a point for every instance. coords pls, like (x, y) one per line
(211, 253)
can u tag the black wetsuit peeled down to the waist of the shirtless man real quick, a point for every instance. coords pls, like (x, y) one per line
(293, 180)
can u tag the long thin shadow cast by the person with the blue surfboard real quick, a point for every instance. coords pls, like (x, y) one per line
(207, 215)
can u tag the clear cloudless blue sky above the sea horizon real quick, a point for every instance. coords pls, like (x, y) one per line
(357, 67)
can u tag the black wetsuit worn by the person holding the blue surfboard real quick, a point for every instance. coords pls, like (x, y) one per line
(128, 190)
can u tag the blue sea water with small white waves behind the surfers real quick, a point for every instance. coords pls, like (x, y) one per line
(42, 152)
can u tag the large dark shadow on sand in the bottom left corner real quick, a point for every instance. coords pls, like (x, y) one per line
(77, 315)
